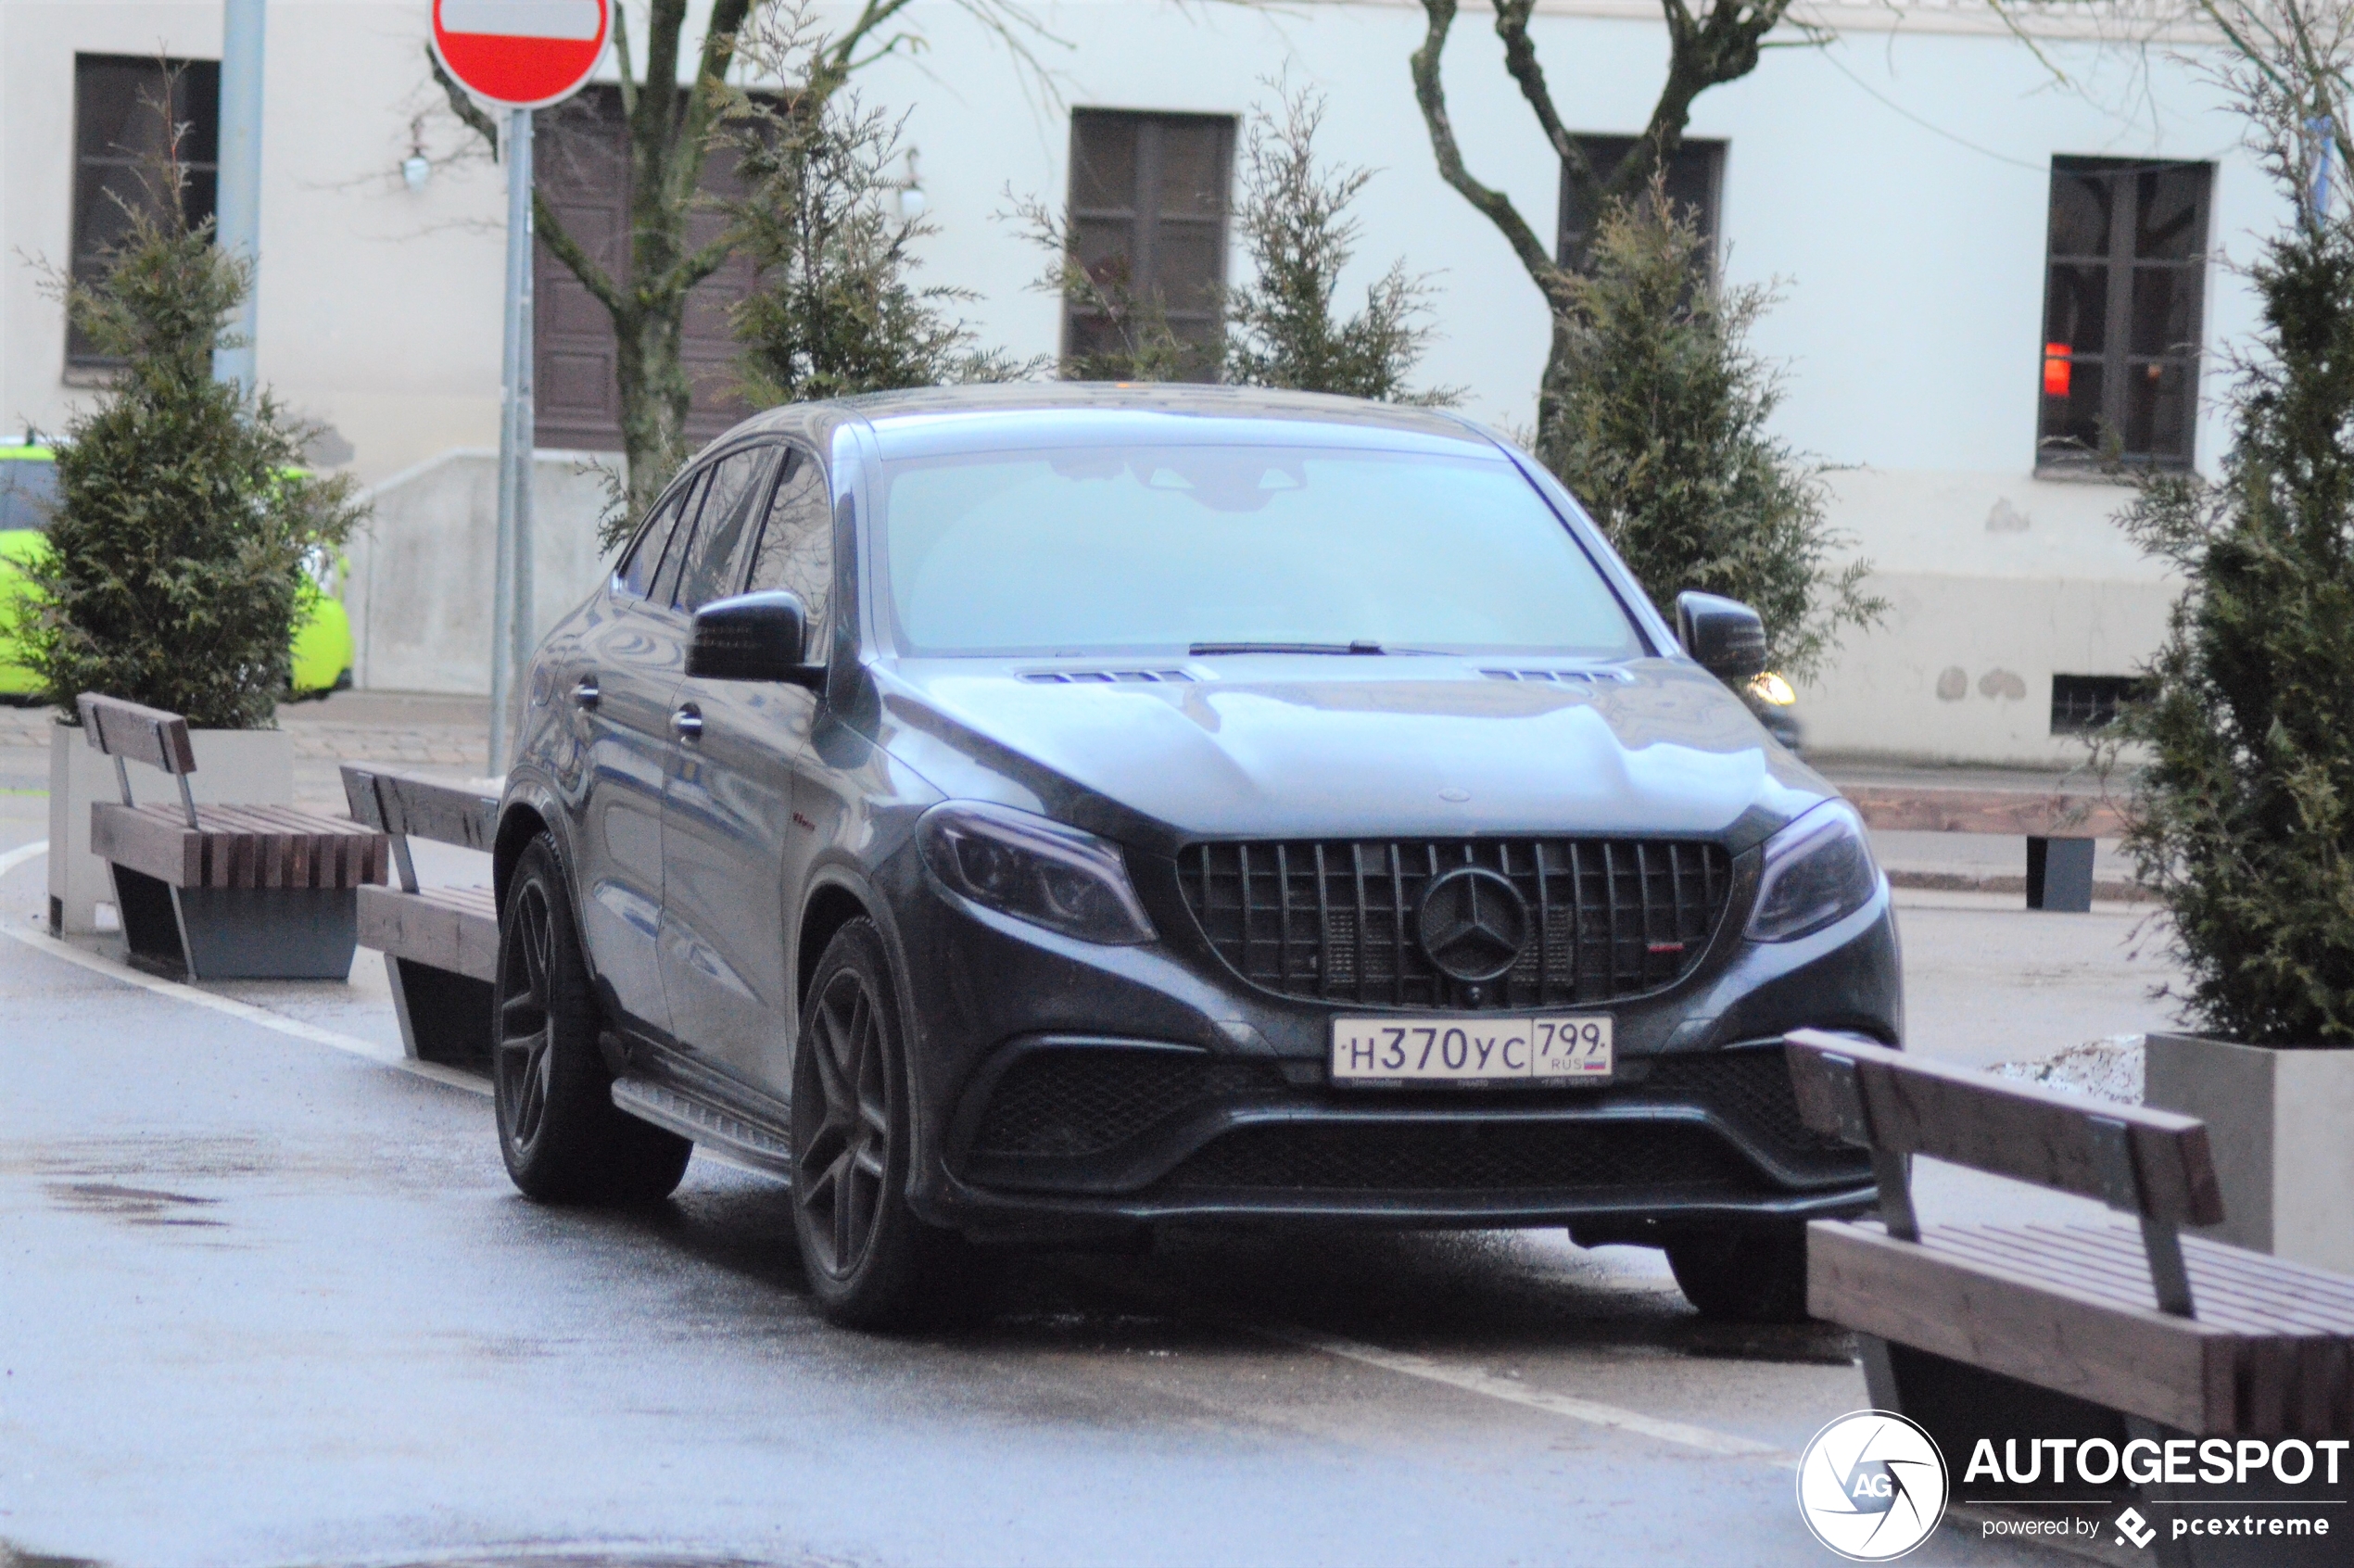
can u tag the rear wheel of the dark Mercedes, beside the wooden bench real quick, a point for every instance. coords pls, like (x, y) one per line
(559, 1129)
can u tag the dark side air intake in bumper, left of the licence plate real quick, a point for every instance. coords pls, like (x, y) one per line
(1084, 1101)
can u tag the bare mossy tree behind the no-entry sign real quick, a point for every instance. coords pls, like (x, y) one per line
(672, 133)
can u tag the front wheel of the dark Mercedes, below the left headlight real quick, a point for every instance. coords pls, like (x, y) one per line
(870, 1261)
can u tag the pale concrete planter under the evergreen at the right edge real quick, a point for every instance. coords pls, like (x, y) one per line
(2282, 1127)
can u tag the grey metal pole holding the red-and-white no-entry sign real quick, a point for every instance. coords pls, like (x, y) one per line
(512, 590)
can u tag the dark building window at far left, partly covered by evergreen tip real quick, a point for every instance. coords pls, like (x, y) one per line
(197, 102)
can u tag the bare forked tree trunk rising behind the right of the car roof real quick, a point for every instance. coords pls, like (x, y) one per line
(1705, 48)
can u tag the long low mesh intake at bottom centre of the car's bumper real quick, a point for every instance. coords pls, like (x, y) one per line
(1470, 1157)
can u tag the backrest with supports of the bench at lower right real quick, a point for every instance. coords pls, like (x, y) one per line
(2139, 1162)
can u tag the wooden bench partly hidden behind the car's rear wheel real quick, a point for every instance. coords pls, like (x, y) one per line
(441, 945)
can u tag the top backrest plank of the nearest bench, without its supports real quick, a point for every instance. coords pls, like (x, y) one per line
(2009, 1129)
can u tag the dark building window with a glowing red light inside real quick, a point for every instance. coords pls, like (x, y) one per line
(2122, 293)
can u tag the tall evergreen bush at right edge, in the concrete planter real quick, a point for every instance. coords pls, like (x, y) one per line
(2245, 813)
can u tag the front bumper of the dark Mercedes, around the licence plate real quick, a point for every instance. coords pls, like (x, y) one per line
(1070, 1089)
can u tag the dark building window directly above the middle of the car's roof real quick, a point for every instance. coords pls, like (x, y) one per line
(1150, 225)
